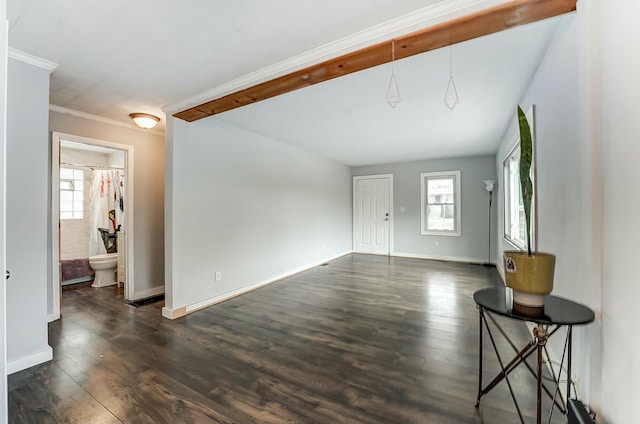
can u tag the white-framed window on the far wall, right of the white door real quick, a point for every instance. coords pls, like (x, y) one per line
(441, 203)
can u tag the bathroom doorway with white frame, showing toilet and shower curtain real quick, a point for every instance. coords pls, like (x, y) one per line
(84, 169)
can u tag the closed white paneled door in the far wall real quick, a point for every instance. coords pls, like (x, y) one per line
(372, 214)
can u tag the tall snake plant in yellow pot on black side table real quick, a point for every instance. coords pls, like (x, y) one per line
(529, 274)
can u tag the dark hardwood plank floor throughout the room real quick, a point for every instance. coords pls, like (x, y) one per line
(364, 339)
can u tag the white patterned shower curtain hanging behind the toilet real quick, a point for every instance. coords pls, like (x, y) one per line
(106, 206)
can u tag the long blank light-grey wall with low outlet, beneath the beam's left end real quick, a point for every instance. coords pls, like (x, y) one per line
(249, 207)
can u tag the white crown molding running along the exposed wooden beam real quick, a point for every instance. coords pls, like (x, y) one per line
(419, 19)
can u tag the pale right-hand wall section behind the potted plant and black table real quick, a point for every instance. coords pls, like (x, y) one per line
(564, 91)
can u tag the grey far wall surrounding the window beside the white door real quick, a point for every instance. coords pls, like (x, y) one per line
(473, 245)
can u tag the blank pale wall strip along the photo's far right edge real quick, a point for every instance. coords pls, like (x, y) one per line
(620, 38)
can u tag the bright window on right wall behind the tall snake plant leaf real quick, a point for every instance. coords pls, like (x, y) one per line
(515, 225)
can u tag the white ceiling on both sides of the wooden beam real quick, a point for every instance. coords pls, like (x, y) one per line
(121, 56)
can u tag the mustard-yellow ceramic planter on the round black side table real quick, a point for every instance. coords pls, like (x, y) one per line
(530, 277)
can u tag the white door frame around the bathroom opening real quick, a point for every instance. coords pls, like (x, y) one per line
(55, 209)
